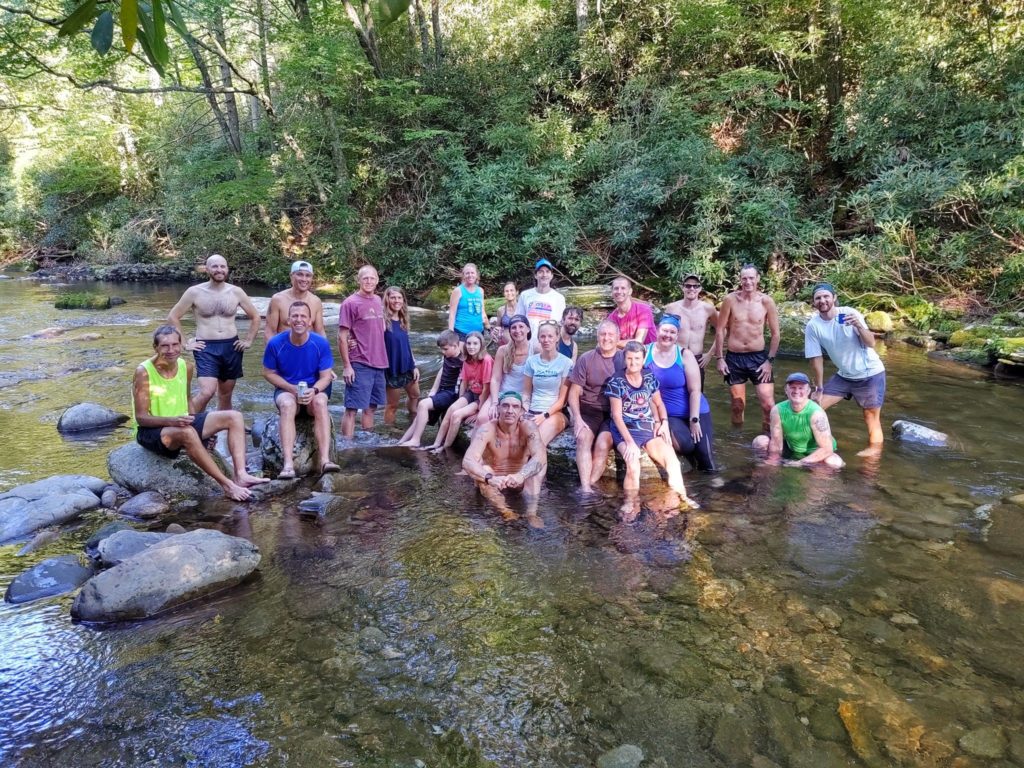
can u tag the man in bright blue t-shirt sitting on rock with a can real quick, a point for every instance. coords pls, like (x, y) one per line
(293, 358)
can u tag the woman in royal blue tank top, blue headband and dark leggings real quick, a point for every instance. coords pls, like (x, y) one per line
(678, 374)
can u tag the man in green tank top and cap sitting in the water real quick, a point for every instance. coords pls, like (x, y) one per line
(800, 432)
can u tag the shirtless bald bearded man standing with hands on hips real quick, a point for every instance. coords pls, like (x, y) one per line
(218, 348)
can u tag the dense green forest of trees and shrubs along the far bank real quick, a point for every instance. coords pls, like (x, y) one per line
(877, 144)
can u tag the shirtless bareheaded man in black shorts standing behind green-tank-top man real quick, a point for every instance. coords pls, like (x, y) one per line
(743, 318)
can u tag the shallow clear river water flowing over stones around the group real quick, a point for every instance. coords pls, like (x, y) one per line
(871, 618)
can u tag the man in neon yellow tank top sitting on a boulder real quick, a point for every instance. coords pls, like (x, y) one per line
(164, 422)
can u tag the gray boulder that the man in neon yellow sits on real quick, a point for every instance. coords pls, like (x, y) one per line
(138, 470)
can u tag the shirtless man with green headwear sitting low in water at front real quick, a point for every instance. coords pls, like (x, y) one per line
(508, 455)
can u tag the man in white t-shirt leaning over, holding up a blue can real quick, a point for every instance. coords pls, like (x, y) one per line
(842, 333)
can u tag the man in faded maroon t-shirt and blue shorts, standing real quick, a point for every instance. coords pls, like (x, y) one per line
(361, 343)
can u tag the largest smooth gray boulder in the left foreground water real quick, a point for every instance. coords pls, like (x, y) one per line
(167, 575)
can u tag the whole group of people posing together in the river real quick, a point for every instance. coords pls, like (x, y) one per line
(639, 391)
